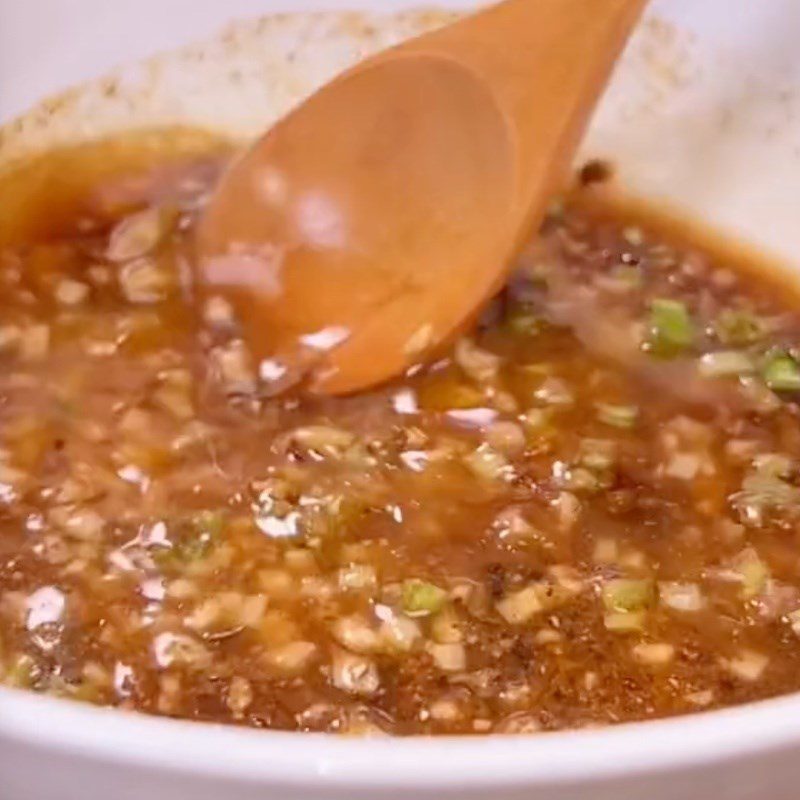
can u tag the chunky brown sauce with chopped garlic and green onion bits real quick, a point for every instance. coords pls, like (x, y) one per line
(585, 513)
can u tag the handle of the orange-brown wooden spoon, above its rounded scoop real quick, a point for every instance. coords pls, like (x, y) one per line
(546, 63)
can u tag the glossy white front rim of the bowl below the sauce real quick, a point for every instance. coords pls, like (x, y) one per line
(131, 739)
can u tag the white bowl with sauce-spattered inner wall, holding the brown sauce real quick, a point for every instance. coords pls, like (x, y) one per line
(704, 112)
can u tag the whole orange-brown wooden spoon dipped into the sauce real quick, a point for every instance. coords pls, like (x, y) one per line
(369, 227)
